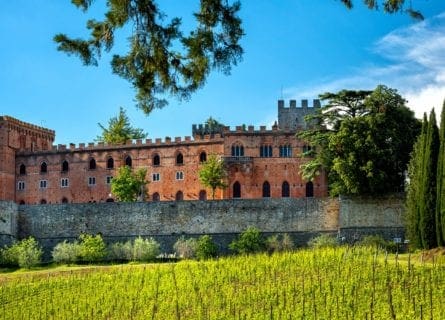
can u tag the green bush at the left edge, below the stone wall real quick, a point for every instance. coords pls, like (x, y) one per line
(26, 253)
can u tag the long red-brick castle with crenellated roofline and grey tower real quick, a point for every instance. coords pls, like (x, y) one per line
(261, 163)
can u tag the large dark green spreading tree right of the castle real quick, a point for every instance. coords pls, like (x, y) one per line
(363, 140)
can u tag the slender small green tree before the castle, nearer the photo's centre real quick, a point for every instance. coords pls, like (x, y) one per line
(213, 174)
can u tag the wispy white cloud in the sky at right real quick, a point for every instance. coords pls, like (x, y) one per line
(416, 67)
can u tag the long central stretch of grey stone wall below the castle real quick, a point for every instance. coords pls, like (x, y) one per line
(166, 221)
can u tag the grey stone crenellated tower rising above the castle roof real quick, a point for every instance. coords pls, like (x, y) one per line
(292, 118)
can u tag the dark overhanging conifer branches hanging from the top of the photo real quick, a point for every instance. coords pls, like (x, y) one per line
(163, 60)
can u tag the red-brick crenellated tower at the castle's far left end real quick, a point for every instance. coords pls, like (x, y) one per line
(15, 136)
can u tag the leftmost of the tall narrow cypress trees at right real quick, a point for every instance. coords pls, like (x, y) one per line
(415, 194)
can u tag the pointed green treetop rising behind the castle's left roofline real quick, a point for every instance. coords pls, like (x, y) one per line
(119, 130)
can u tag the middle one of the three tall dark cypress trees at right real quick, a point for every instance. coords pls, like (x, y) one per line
(428, 187)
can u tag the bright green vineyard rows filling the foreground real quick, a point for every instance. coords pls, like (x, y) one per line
(338, 283)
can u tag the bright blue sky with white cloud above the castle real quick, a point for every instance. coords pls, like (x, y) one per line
(294, 49)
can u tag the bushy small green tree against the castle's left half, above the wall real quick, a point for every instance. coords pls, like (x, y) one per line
(129, 186)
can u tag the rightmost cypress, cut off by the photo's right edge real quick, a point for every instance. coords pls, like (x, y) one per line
(440, 198)
